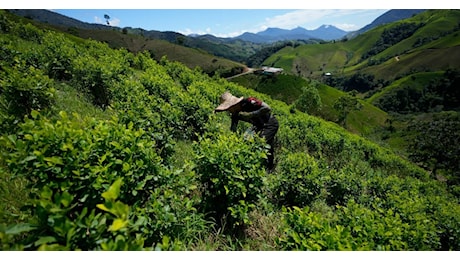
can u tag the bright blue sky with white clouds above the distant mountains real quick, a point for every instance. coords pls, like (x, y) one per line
(228, 18)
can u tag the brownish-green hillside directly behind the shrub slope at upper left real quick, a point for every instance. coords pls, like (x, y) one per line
(137, 41)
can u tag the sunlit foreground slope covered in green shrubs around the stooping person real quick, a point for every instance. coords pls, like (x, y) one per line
(93, 156)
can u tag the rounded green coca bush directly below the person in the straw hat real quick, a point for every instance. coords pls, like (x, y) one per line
(231, 173)
